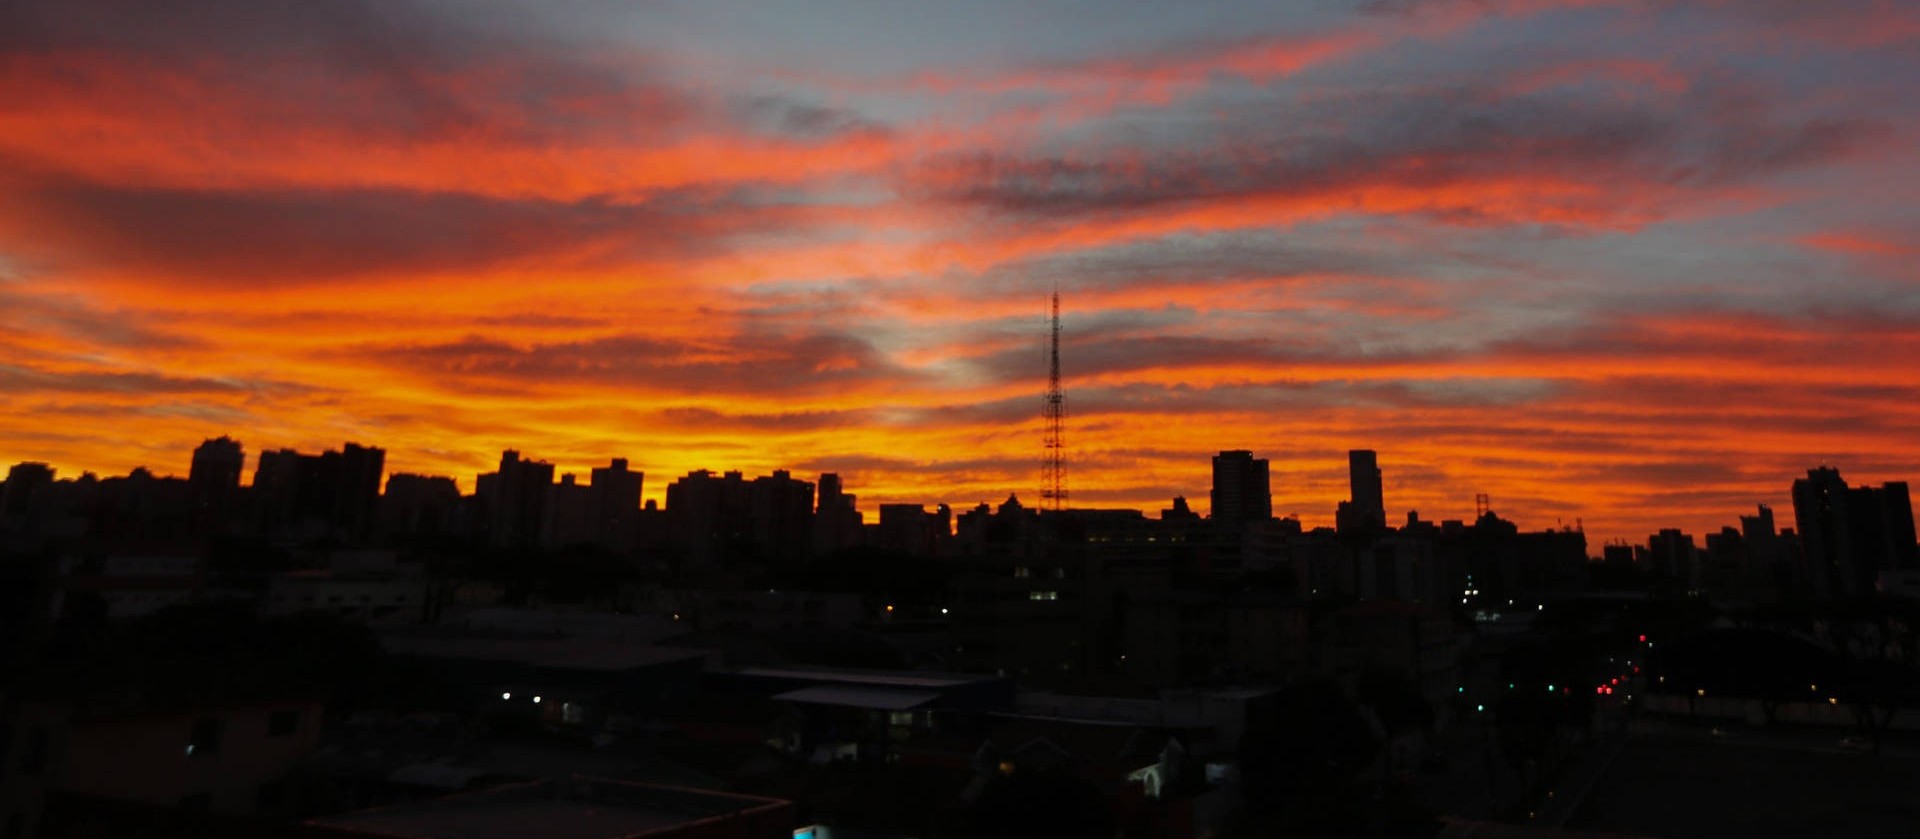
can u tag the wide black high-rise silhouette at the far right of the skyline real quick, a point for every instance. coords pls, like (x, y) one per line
(1852, 535)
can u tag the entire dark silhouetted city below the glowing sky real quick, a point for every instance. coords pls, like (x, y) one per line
(329, 650)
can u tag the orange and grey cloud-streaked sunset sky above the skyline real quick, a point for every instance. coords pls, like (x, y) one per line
(1631, 262)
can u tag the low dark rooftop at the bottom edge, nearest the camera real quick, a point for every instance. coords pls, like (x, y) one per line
(573, 809)
